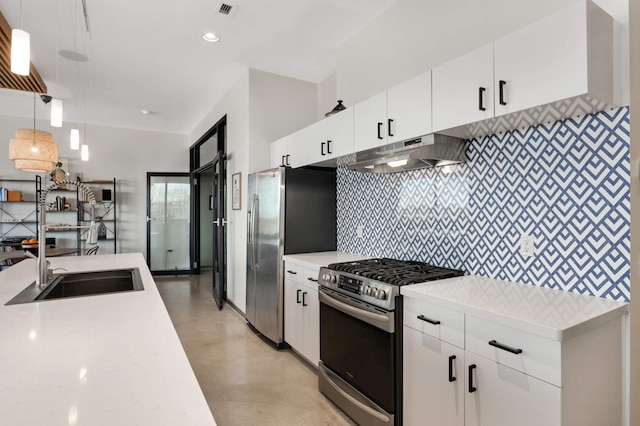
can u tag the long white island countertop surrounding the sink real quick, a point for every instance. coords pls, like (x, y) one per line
(111, 359)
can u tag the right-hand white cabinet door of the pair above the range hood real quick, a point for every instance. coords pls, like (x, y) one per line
(409, 109)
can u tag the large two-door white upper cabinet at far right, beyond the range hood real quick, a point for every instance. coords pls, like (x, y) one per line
(564, 57)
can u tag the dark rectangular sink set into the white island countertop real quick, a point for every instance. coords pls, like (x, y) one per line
(79, 284)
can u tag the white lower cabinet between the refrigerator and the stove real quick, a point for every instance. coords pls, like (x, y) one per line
(302, 311)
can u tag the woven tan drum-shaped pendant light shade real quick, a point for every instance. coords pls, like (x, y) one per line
(33, 150)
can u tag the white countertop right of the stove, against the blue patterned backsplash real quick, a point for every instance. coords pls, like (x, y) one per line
(553, 314)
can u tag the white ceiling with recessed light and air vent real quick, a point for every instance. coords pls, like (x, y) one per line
(149, 54)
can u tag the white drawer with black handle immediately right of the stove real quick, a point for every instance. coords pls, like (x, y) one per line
(434, 320)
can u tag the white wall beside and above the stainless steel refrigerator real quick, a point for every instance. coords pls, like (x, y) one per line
(260, 108)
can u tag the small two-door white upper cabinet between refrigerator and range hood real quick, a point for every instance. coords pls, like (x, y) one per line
(330, 138)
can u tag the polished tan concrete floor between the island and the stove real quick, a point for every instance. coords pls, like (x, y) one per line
(244, 380)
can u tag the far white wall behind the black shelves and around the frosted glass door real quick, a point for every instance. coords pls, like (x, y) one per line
(125, 154)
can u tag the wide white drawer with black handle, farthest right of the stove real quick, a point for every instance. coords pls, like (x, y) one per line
(522, 351)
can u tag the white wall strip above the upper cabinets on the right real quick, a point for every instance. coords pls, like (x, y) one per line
(414, 36)
